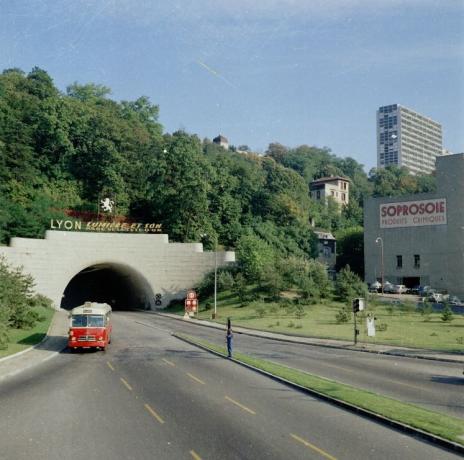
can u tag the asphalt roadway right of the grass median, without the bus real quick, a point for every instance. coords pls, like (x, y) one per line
(436, 385)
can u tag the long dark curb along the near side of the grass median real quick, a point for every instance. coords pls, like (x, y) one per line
(450, 445)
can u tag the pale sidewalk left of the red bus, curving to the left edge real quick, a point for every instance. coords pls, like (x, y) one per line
(55, 341)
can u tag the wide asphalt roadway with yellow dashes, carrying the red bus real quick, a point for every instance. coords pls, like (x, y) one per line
(151, 396)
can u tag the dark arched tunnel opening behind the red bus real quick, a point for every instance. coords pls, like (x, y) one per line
(117, 285)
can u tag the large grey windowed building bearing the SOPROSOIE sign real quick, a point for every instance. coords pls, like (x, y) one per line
(419, 239)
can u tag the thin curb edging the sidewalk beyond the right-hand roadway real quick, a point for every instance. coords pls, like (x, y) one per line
(251, 333)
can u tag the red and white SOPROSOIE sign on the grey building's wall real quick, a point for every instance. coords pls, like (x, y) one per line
(413, 213)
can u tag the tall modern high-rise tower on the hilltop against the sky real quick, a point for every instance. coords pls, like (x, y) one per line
(407, 138)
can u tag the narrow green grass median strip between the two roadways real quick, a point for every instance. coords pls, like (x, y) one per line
(436, 423)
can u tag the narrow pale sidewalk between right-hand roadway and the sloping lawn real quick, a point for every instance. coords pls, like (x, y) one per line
(331, 343)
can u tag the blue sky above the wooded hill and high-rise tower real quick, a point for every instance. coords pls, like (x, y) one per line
(289, 71)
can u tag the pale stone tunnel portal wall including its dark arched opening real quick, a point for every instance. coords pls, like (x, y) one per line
(145, 270)
